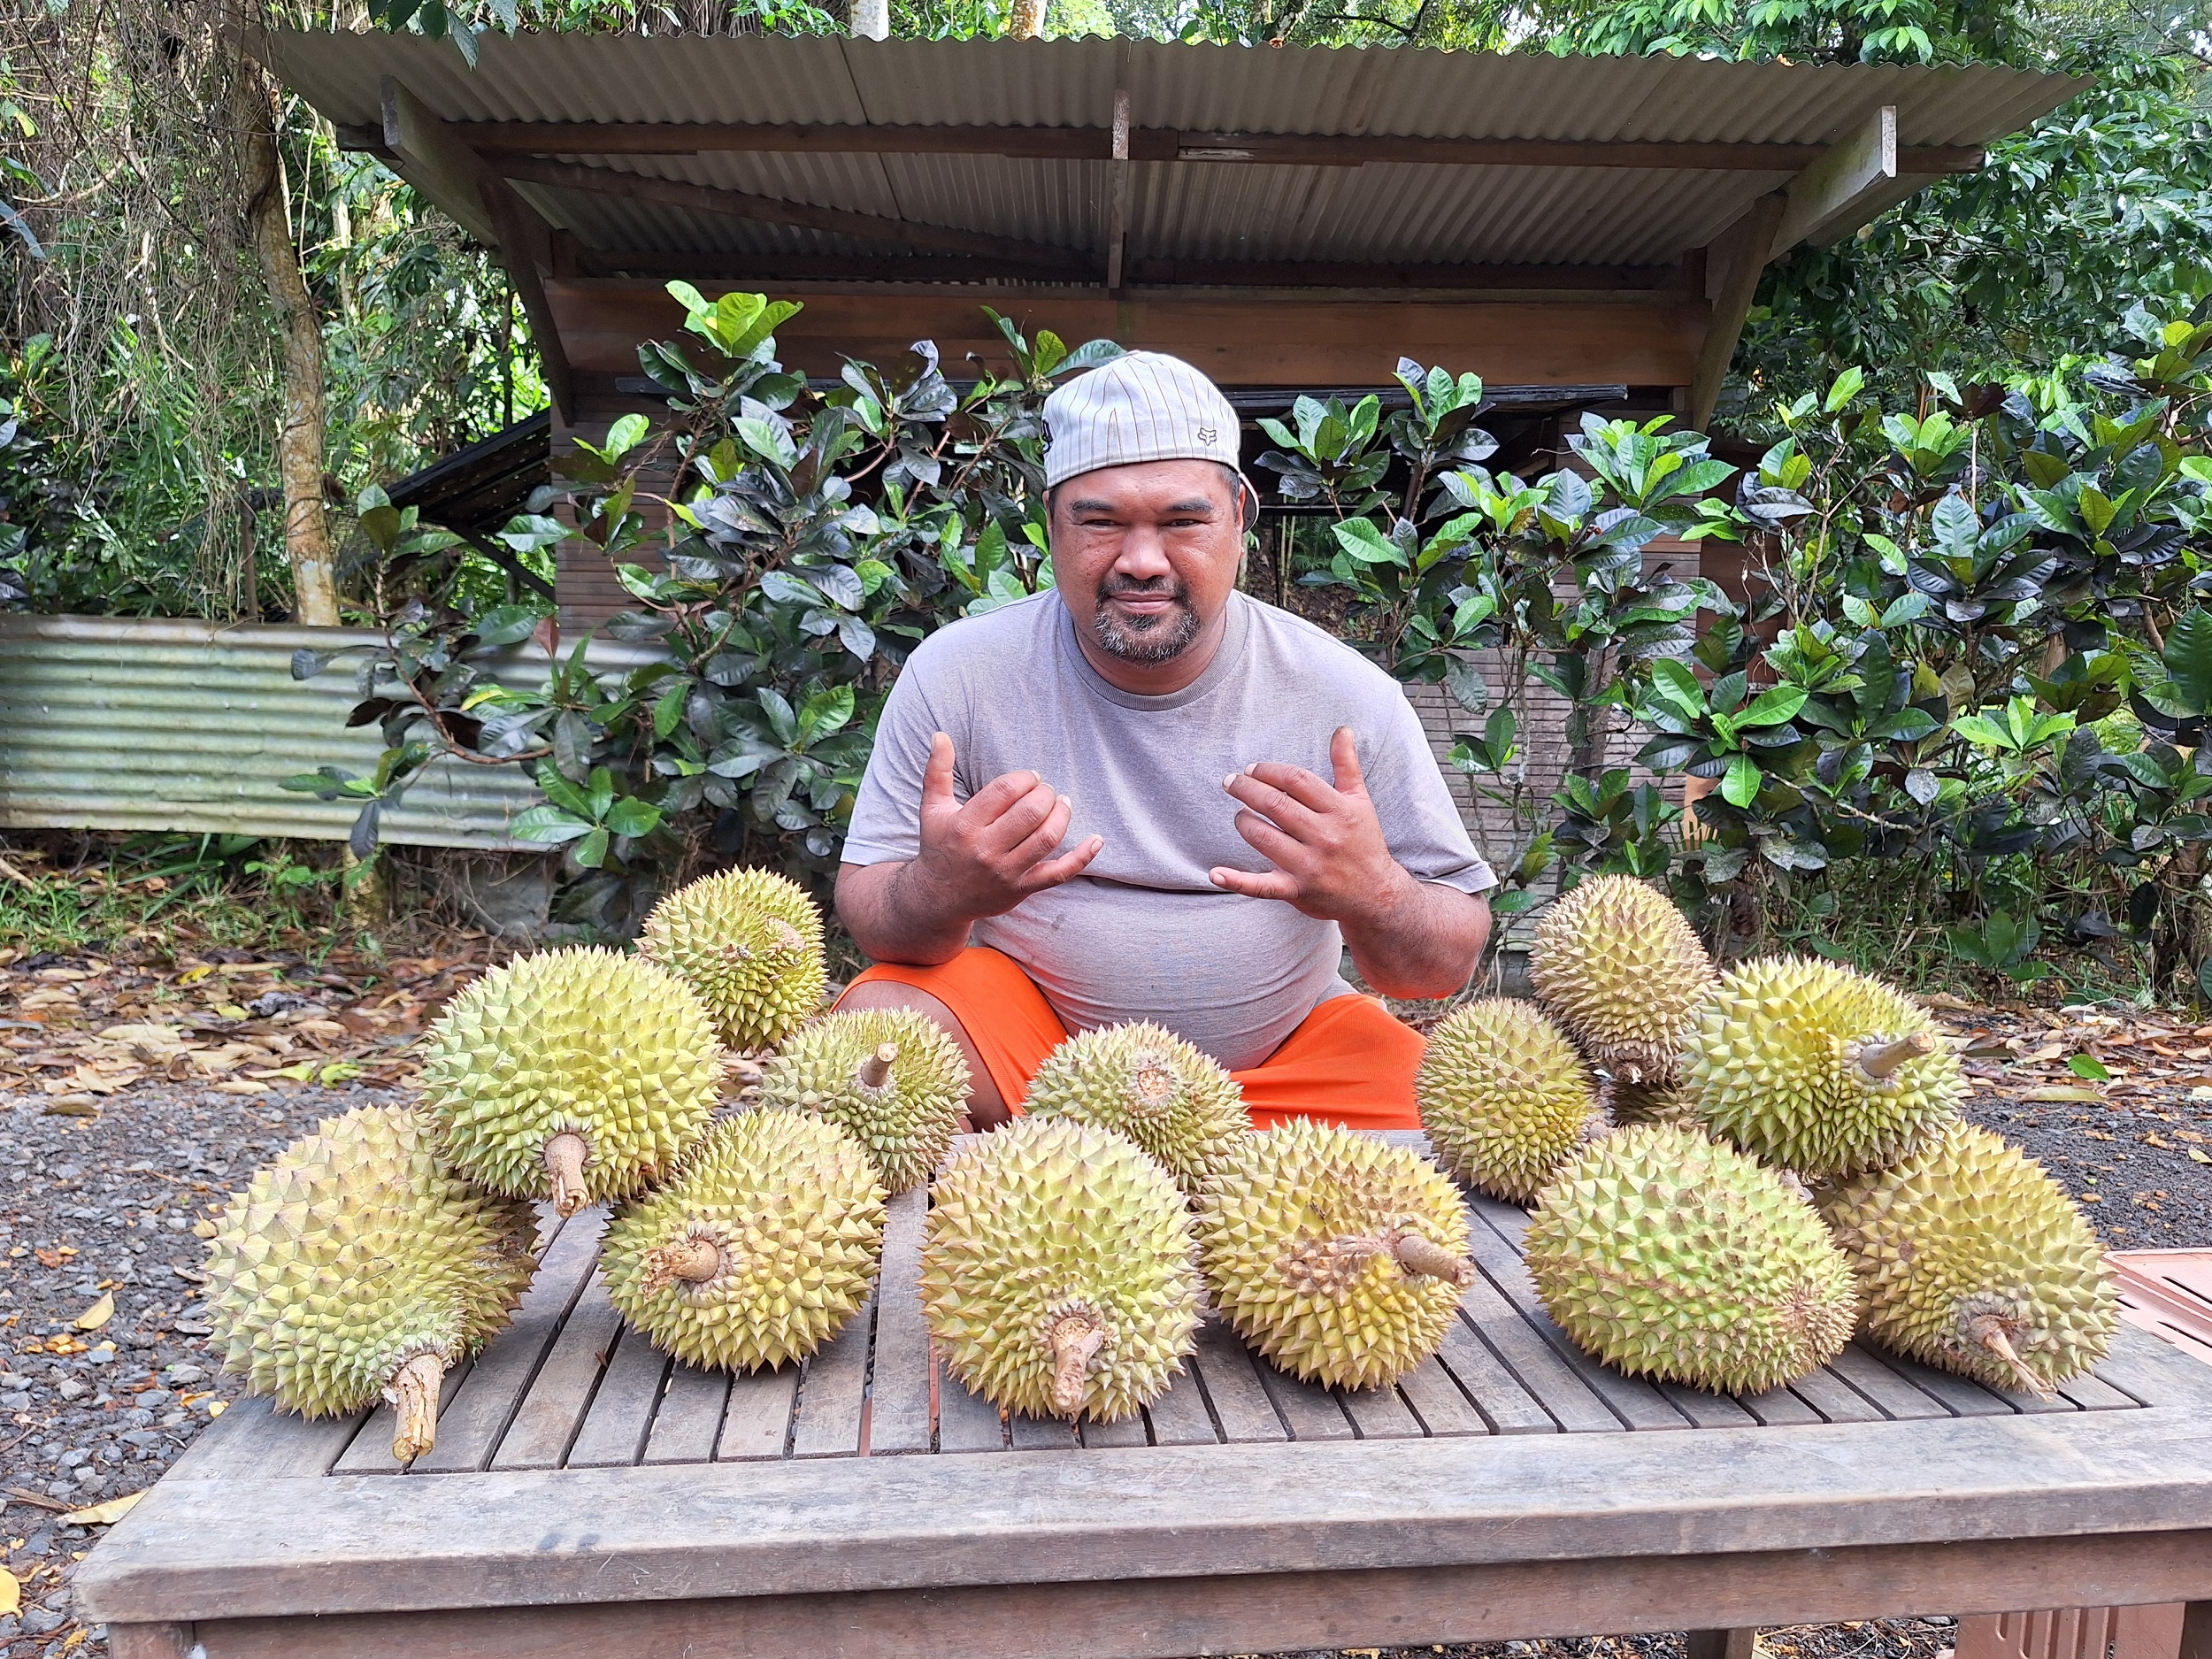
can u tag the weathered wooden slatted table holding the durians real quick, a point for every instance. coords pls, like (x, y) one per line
(592, 1499)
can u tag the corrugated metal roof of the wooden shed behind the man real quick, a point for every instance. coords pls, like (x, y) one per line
(1180, 209)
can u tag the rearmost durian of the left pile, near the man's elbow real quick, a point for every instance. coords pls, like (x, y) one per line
(751, 946)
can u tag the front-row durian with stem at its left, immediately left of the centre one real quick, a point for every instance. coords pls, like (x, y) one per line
(758, 1251)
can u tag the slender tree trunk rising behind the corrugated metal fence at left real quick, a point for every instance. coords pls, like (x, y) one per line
(300, 437)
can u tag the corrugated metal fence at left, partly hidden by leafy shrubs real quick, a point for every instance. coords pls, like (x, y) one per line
(165, 724)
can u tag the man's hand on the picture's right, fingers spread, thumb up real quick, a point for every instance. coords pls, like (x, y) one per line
(1324, 839)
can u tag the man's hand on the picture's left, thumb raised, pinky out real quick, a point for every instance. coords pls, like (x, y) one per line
(992, 853)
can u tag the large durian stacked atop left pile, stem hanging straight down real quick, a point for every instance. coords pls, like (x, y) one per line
(572, 1076)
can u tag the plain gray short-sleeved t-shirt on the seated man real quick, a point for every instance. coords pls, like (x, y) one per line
(1142, 935)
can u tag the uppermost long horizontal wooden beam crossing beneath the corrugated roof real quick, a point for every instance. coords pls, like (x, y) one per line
(1154, 145)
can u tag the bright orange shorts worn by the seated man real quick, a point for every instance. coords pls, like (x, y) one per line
(1348, 1063)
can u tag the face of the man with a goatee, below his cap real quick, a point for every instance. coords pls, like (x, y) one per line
(1147, 556)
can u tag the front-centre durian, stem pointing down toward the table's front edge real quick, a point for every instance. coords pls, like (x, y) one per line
(1058, 1273)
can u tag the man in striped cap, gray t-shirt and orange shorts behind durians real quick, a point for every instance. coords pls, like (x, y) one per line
(1145, 795)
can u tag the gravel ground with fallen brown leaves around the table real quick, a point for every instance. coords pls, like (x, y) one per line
(134, 1098)
